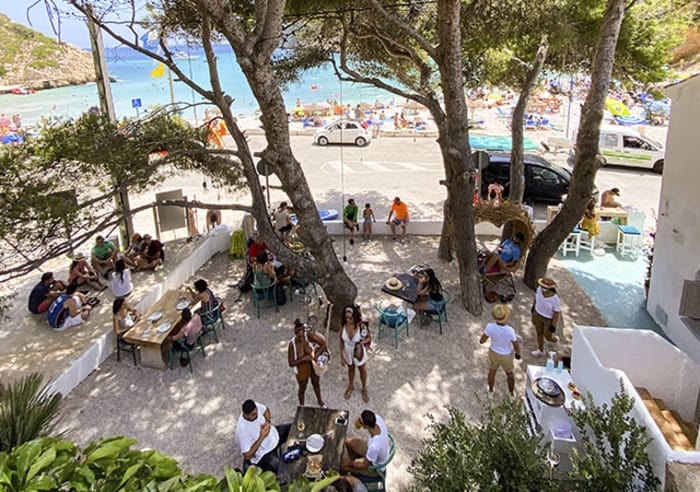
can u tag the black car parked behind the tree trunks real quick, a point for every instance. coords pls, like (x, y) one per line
(544, 181)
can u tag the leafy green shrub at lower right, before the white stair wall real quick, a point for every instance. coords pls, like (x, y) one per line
(614, 455)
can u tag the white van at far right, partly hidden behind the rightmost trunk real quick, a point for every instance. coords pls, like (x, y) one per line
(624, 146)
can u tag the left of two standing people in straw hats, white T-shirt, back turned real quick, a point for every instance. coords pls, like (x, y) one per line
(504, 346)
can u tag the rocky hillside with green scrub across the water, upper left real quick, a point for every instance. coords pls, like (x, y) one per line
(31, 60)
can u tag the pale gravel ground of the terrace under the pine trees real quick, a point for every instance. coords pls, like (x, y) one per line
(192, 417)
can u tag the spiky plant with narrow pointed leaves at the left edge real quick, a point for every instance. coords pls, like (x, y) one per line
(27, 411)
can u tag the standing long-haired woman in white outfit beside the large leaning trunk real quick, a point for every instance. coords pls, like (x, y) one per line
(354, 335)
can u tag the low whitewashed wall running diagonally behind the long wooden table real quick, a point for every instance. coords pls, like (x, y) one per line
(96, 353)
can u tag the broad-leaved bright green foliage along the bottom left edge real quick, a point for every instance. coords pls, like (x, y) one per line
(110, 465)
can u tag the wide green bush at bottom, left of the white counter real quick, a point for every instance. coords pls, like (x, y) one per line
(498, 454)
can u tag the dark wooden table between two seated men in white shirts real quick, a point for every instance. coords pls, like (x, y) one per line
(332, 424)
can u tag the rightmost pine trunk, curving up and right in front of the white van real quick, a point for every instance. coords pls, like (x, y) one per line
(587, 161)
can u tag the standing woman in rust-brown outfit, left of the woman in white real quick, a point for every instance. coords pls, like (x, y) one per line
(300, 356)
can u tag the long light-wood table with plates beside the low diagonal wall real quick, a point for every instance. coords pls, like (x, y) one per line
(152, 345)
